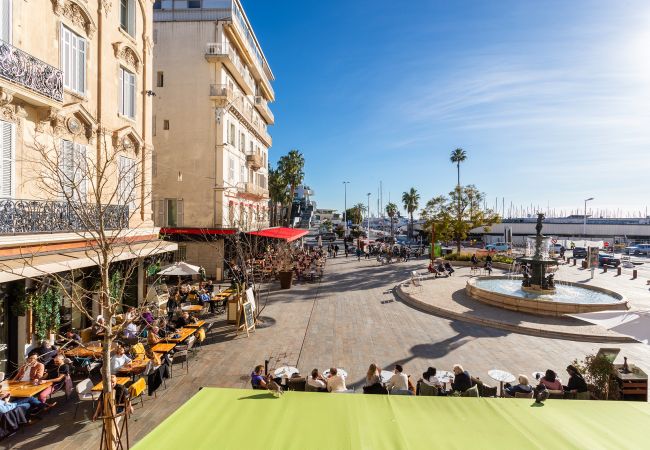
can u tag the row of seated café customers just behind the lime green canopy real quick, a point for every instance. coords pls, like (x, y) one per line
(457, 383)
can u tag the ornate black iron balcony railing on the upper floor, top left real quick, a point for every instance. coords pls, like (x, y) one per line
(24, 69)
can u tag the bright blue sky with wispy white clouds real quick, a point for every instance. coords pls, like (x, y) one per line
(550, 99)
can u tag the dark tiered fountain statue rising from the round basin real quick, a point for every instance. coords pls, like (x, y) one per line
(535, 267)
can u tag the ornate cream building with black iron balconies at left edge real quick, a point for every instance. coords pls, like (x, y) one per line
(75, 85)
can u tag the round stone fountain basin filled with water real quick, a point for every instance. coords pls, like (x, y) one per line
(569, 298)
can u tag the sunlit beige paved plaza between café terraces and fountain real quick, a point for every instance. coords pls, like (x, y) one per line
(349, 319)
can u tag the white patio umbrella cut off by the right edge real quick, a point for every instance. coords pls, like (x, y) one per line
(635, 324)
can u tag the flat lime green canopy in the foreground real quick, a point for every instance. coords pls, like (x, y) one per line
(246, 419)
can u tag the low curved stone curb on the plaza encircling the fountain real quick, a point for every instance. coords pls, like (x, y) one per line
(539, 332)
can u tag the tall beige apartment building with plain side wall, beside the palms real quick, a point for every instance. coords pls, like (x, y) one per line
(211, 119)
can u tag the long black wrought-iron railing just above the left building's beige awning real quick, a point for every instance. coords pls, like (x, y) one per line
(39, 216)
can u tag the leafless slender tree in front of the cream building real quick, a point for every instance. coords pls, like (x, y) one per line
(101, 193)
